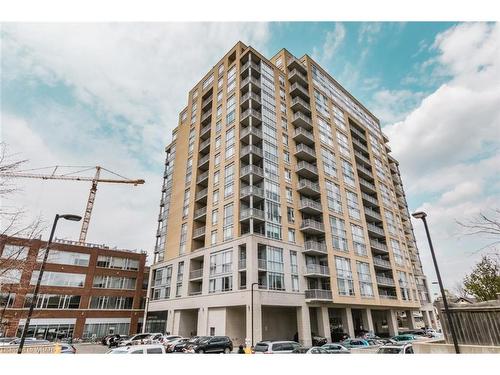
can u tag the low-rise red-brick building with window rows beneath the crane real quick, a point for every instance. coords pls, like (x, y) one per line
(87, 290)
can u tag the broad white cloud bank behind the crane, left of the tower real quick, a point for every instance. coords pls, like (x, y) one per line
(140, 73)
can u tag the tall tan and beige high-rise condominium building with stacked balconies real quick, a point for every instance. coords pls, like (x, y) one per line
(282, 211)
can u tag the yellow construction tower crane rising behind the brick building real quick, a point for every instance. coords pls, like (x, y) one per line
(74, 176)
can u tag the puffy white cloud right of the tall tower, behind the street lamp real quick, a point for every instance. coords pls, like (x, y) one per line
(449, 146)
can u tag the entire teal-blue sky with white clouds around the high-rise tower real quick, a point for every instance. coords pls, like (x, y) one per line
(110, 94)
